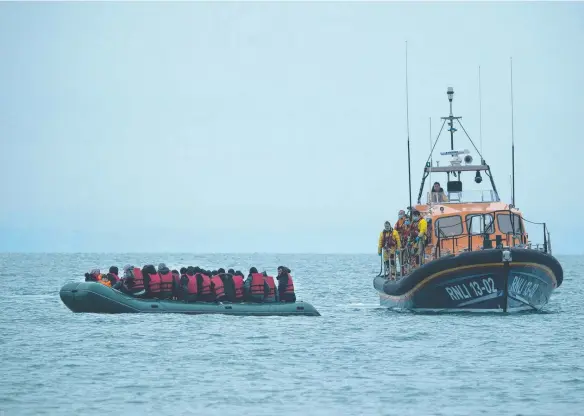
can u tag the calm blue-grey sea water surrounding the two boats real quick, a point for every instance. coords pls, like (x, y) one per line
(355, 359)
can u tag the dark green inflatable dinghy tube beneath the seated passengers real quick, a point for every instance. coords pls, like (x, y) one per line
(94, 297)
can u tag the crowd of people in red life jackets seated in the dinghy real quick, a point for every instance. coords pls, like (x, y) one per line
(194, 284)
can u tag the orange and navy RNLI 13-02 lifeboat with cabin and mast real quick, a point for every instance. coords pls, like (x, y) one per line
(476, 254)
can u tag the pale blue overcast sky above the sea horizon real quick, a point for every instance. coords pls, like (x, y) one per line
(274, 127)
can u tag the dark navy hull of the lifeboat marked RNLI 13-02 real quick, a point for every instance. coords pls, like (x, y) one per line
(478, 281)
